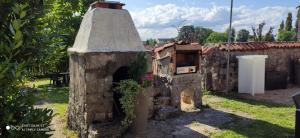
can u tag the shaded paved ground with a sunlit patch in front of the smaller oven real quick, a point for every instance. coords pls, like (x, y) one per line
(192, 124)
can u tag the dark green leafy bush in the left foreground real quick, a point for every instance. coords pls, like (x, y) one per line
(16, 42)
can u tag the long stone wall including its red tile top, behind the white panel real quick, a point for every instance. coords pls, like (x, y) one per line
(279, 64)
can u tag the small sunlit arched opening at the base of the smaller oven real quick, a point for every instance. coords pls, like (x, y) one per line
(187, 102)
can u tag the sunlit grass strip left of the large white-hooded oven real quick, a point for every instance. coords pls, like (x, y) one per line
(55, 98)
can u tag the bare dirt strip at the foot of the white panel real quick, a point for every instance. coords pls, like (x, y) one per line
(282, 96)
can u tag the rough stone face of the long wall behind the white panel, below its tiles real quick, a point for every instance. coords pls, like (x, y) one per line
(213, 66)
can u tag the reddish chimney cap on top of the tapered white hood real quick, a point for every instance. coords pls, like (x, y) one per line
(107, 4)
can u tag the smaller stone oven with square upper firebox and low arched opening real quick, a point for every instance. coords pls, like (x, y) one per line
(177, 77)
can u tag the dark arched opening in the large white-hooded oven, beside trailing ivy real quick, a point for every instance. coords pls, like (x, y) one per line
(120, 74)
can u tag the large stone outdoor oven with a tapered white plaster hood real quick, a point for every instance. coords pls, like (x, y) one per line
(107, 42)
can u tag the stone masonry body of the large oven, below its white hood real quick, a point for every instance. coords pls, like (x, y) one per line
(91, 96)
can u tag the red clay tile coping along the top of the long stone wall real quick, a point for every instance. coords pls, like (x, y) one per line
(249, 46)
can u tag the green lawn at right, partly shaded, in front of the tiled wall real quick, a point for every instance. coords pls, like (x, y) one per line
(267, 119)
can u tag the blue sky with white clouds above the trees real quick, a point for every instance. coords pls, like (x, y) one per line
(158, 18)
